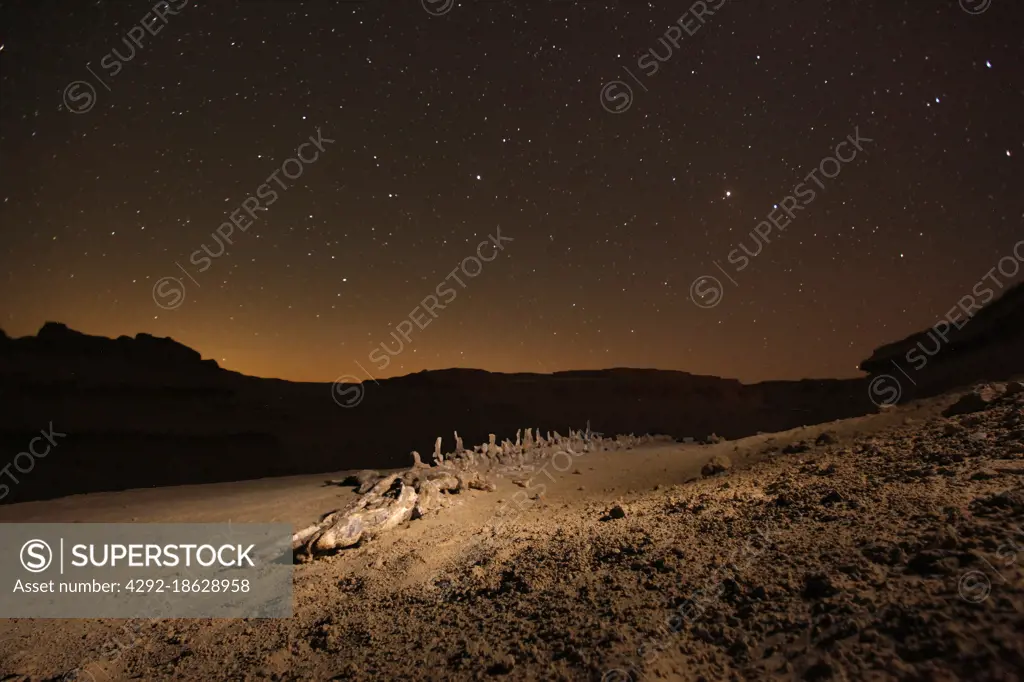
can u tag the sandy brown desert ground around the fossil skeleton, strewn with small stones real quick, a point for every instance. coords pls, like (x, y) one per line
(865, 555)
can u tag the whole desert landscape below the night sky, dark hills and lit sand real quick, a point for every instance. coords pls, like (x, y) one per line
(882, 544)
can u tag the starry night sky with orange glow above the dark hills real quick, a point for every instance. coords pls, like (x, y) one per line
(452, 121)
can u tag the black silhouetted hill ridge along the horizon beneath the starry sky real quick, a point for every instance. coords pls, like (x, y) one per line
(146, 411)
